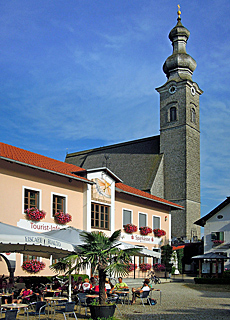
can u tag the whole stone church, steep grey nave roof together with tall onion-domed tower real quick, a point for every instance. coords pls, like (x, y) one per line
(167, 165)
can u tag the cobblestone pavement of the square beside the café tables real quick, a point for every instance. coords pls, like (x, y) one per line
(180, 300)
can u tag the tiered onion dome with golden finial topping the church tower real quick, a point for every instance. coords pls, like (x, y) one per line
(180, 64)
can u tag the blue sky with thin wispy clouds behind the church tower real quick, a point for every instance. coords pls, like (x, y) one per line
(78, 74)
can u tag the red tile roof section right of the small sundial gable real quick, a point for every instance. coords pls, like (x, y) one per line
(142, 194)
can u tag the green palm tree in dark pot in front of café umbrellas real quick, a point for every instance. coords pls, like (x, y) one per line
(102, 253)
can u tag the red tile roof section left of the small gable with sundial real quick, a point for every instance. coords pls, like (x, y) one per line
(37, 160)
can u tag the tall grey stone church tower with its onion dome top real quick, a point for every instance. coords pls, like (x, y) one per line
(180, 134)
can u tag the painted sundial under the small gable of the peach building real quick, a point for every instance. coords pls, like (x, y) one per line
(101, 190)
